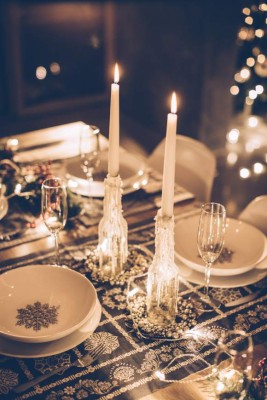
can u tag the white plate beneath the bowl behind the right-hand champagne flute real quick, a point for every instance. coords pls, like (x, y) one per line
(248, 278)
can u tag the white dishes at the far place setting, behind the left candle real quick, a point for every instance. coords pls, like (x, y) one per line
(132, 173)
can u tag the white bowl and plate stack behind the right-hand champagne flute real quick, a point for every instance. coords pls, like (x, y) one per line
(246, 265)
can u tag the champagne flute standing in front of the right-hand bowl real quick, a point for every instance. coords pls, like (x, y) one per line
(210, 240)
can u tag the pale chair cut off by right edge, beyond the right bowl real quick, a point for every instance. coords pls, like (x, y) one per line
(255, 213)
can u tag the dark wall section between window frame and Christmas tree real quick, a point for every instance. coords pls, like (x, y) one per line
(186, 46)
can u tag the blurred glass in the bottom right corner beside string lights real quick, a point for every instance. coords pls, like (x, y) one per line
(233, 366)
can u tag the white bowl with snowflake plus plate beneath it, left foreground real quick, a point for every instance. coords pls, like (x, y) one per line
(45, 310)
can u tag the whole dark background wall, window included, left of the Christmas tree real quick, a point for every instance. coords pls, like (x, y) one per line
(185, 45)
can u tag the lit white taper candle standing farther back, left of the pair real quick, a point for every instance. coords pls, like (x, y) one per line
(114, 126)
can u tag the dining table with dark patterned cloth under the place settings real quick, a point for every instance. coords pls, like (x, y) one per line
(127, 368)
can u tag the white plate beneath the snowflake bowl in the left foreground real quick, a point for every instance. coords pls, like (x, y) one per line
(11, 348)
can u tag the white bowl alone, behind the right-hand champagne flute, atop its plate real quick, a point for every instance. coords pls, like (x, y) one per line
(247, 244)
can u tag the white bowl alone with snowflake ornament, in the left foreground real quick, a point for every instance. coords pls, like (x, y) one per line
(41, 303)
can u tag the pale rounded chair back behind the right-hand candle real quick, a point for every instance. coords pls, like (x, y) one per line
(195, 165)
